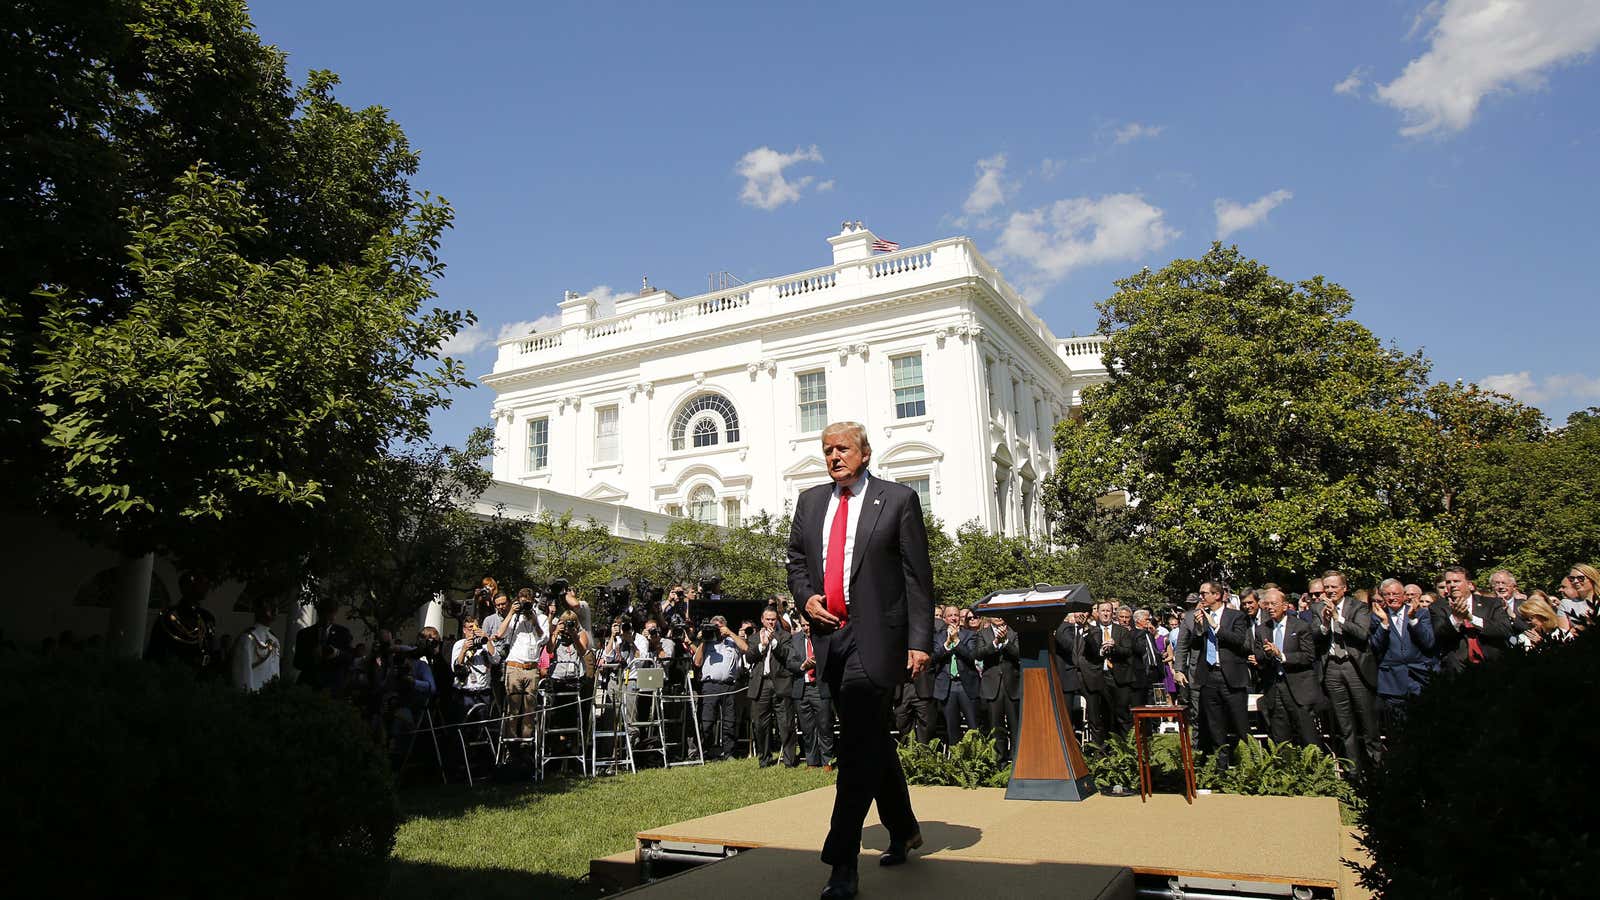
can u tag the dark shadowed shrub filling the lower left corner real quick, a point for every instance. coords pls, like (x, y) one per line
(138, 781)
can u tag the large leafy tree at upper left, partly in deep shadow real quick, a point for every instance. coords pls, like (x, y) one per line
(214, 284)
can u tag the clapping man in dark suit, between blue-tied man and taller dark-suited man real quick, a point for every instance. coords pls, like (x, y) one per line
(1286, 657)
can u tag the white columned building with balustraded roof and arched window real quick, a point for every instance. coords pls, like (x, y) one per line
(713, 406)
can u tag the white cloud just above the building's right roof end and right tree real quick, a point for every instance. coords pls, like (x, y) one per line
(1082, 231)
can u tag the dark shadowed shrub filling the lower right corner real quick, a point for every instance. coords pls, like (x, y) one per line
(1482, 792)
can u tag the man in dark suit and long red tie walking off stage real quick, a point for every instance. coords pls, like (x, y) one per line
(858, 566)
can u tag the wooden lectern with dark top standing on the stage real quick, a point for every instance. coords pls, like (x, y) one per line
(1049, 763)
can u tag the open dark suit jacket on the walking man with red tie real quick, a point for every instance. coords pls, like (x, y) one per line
(890, 579)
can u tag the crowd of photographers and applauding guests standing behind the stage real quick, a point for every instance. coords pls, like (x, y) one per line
(1327, 667)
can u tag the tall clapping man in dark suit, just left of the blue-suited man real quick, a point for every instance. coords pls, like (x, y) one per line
(1350, 672)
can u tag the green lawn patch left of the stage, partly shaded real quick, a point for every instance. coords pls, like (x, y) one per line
(537, 840)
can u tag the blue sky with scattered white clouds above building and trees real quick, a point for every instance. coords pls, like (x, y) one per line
(1439, 161)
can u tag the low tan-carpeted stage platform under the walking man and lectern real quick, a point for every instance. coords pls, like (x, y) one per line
(980, 845)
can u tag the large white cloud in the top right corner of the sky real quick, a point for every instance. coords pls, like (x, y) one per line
(1482, 47)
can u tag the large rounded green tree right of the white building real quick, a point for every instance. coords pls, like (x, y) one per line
(1260, 430)
